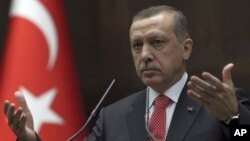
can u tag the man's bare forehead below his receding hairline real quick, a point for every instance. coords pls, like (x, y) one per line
(162, 22)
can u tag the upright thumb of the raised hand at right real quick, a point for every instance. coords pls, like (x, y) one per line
(227, 74)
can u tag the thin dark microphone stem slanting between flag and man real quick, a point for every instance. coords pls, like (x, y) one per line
(92, 113)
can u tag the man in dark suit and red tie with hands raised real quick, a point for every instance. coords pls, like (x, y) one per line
(161, 46)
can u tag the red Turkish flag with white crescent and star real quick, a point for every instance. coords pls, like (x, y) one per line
(38, 62)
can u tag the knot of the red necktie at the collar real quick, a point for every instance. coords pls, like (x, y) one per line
(161, 102)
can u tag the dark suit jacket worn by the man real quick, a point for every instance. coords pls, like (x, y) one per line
(125, 120)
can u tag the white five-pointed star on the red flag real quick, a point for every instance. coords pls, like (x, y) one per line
(40, 107)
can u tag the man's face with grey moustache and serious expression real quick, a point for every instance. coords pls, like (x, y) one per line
(158, 56)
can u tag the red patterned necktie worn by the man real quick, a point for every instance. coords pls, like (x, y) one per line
(157, 124)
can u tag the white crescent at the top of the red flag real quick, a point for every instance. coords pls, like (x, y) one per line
(36, 12)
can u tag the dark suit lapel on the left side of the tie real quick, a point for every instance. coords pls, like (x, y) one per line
(136, 120)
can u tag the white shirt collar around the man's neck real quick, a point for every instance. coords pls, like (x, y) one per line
(173, 92)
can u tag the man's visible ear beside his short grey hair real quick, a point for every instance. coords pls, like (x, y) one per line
(187, 48)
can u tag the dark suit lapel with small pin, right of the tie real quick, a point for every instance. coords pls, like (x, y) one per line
(184, 115)
